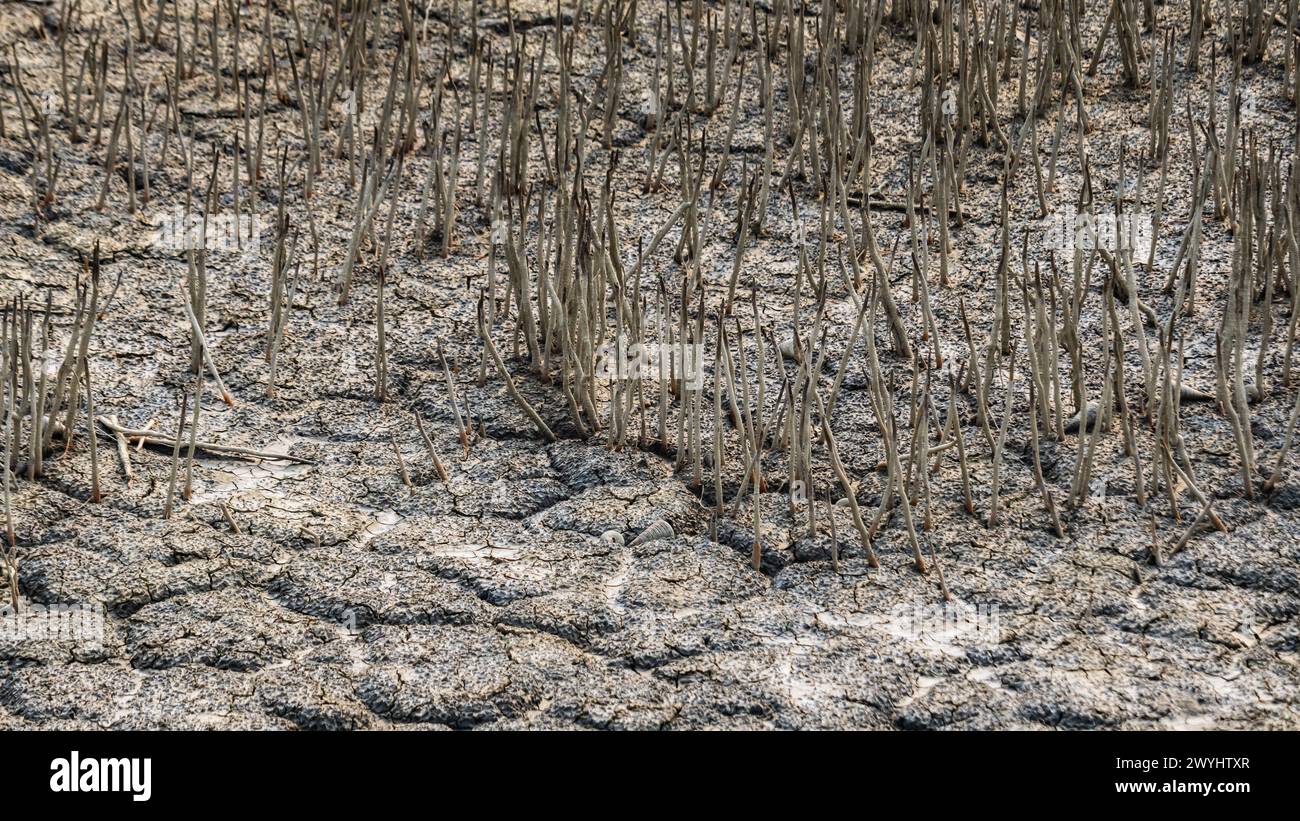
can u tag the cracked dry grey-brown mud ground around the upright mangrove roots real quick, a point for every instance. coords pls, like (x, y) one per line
(359, 589)
